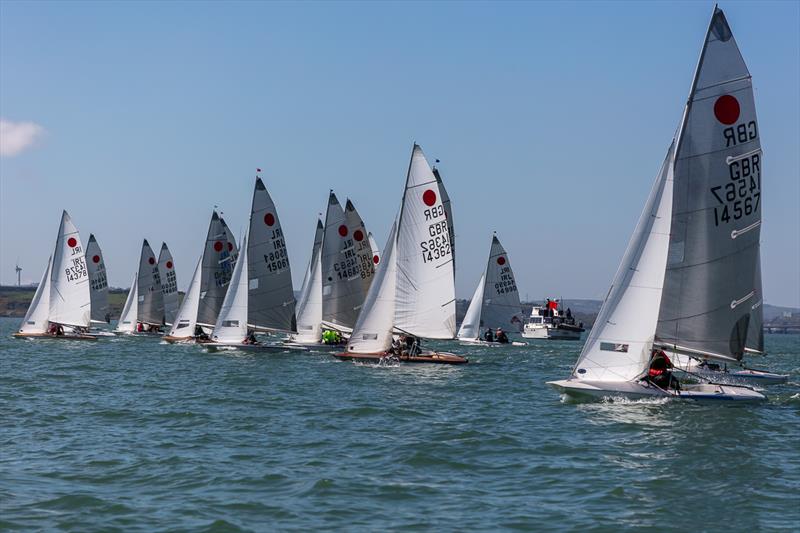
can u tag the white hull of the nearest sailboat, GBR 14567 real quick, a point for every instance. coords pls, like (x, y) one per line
(637, 390)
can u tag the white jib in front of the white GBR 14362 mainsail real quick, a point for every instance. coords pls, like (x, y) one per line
(372, 333)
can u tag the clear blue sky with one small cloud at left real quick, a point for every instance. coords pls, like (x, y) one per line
(550, 121)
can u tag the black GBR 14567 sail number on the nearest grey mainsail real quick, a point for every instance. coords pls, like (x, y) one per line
(741, 195)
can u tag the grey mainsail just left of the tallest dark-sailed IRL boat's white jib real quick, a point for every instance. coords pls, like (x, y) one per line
(215, 273)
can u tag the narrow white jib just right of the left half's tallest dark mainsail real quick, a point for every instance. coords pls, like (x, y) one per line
(309, 306)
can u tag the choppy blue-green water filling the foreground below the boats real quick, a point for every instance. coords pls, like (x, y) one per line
(135, 435)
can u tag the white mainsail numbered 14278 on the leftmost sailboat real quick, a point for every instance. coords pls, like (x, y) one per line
(70, 298)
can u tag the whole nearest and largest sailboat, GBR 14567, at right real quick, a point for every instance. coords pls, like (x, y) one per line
(686, 282)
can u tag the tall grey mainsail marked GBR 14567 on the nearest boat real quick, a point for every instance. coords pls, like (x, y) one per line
(709, 288)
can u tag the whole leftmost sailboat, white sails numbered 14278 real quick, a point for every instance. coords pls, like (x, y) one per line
(61, 306)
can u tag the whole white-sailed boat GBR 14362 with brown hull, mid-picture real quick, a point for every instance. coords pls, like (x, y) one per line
(413, 292)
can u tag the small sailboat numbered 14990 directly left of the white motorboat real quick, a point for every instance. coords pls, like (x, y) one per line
(495, 303)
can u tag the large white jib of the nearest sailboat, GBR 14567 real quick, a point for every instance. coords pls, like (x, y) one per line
(619, 345)
